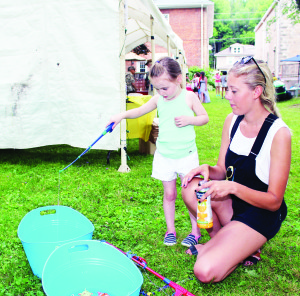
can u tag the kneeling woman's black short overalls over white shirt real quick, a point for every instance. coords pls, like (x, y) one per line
(264, 221)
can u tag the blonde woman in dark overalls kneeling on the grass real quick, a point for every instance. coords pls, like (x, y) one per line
(248, 183)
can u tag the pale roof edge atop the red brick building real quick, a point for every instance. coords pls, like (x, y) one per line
(165, 4)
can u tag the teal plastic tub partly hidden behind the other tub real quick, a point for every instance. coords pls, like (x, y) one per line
(44, 229)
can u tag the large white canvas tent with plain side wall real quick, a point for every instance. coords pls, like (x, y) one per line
(63, 66)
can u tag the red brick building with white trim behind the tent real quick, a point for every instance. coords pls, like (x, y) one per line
(192, 21)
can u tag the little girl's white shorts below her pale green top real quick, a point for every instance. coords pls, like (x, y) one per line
(167, 169)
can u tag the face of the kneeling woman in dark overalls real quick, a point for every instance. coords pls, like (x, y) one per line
(239, 95)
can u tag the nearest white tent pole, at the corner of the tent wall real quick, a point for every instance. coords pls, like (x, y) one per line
(124, 167)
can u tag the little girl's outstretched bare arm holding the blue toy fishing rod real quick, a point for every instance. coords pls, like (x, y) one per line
(134, 113)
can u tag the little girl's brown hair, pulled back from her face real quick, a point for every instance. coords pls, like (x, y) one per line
(166, 65)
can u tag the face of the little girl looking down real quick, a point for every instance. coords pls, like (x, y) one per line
(168, 89)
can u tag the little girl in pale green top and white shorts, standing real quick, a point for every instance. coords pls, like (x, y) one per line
(176, 152)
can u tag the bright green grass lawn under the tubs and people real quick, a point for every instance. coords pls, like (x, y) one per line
(126, 210)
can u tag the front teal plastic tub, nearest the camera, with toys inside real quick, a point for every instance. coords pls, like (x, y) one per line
(93, 266)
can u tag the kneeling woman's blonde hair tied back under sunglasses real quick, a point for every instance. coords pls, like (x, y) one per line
(253, 78)
